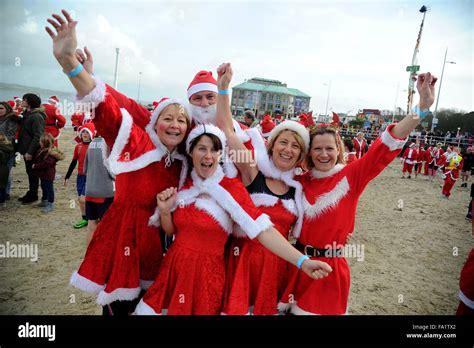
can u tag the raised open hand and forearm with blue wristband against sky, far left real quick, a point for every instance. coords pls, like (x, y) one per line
(64, 49)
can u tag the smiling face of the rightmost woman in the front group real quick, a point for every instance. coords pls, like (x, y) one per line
(324, 152)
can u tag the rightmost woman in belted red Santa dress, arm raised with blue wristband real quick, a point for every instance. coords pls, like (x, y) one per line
(331, 193)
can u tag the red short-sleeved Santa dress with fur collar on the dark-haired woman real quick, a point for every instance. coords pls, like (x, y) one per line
(192, 277)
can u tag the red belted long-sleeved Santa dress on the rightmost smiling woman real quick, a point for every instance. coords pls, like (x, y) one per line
(330, 202)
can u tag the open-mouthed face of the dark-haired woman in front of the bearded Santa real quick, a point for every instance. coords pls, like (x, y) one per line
(205, 155)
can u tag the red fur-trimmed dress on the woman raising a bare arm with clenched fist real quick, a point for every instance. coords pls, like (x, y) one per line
(257, 277)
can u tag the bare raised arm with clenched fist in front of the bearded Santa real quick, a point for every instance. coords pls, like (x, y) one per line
(240, 155)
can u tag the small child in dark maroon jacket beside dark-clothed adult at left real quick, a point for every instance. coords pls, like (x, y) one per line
(44, 167)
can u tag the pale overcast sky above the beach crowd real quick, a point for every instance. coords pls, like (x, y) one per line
(362, 47)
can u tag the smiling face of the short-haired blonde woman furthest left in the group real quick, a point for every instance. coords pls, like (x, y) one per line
(171, 126)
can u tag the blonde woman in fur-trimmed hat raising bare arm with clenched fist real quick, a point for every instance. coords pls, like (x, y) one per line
(257, 277)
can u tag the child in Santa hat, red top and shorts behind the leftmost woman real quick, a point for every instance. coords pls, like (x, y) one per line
(86, 133)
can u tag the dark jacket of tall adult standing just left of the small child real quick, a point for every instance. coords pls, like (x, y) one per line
(32, 127)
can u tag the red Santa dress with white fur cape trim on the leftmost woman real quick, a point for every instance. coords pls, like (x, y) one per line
(125, 252)
